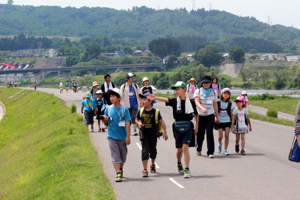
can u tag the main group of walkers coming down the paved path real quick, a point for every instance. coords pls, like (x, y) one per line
(207, 106)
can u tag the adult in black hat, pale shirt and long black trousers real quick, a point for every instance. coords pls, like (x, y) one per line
(207, 107)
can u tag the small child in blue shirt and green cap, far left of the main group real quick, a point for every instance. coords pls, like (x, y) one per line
(89, 107)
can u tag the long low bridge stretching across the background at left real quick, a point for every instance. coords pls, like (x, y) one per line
(91, 69)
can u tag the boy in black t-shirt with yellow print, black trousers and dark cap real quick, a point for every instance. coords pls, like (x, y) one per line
(146, 119)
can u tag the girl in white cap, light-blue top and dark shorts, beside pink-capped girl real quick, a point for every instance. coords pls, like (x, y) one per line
(225, 112)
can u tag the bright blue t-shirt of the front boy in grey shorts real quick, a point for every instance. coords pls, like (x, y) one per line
(114, 130)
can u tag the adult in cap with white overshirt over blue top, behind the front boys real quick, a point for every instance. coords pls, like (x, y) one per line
(130, 95)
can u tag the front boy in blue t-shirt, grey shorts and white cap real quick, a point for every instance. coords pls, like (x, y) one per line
(118, 118)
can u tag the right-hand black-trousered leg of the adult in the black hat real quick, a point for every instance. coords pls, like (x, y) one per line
(210, 135)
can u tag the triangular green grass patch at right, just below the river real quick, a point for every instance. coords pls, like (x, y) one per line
(283, 105)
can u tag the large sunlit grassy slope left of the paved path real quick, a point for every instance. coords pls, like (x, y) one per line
(46, 153)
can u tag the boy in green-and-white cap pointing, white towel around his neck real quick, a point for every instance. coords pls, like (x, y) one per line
(183, 128)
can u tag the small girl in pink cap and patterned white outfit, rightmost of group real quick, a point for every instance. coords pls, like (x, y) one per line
(240, 122)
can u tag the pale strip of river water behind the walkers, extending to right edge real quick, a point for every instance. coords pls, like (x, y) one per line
(252, 92)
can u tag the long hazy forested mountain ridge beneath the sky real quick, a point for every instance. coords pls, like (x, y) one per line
(140, 22)
